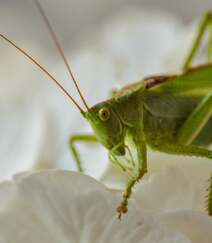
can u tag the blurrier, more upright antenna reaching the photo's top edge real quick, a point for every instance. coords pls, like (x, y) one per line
(60, 50)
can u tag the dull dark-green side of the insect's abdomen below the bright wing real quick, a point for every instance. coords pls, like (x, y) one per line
(164, 116)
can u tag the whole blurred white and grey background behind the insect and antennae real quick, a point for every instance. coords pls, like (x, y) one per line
(107, 42)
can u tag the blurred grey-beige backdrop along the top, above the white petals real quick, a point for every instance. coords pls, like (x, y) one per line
(76, 20)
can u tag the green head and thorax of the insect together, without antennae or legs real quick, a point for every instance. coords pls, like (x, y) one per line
(125, 114)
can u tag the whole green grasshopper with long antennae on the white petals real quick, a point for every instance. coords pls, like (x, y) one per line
(168, 113)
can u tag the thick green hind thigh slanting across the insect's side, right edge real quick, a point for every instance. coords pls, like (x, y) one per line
(196, 121)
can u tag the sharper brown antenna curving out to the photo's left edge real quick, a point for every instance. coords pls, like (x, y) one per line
(43, 69)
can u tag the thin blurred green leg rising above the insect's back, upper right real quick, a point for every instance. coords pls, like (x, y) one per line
(204, 25)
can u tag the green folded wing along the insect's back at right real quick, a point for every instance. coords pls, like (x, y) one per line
(179, 94)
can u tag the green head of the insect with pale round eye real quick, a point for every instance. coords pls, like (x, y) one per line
(107, 127)
